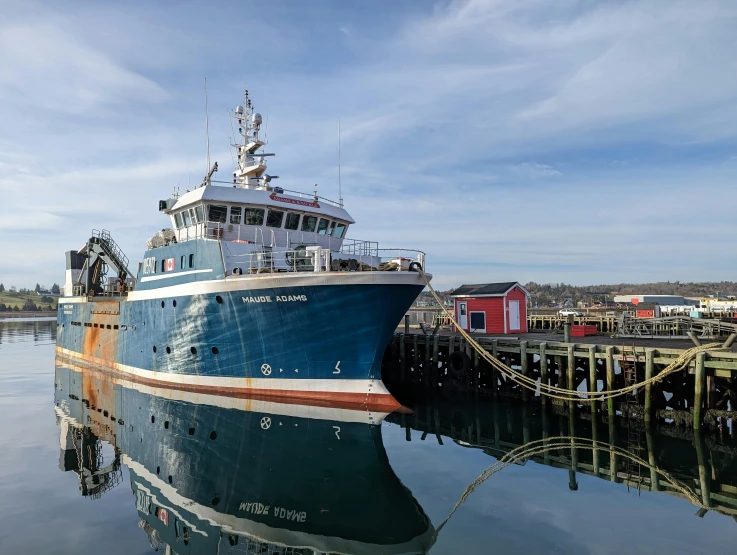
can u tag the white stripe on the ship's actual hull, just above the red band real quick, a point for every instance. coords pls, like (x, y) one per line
(356, 387)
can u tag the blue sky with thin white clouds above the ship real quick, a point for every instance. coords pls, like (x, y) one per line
(577, 141)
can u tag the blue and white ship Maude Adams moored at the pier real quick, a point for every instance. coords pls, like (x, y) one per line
(253, 290)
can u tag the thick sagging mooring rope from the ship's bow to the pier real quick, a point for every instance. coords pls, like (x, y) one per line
(679, 364)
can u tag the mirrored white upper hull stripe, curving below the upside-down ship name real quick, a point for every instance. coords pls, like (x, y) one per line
(281, 536)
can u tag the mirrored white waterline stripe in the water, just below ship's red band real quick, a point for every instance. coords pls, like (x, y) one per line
(247, 405)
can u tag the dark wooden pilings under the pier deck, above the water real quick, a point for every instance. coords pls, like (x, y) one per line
(704, 394)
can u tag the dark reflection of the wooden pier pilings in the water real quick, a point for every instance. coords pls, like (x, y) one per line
(681, 462)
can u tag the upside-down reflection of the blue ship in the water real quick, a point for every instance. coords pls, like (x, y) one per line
(221, 475)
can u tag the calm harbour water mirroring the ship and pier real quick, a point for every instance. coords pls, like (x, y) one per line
(76, 477)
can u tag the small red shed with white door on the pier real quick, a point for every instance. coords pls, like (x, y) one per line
(497, 308)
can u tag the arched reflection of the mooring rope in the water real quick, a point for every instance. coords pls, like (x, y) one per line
(542, 446)
